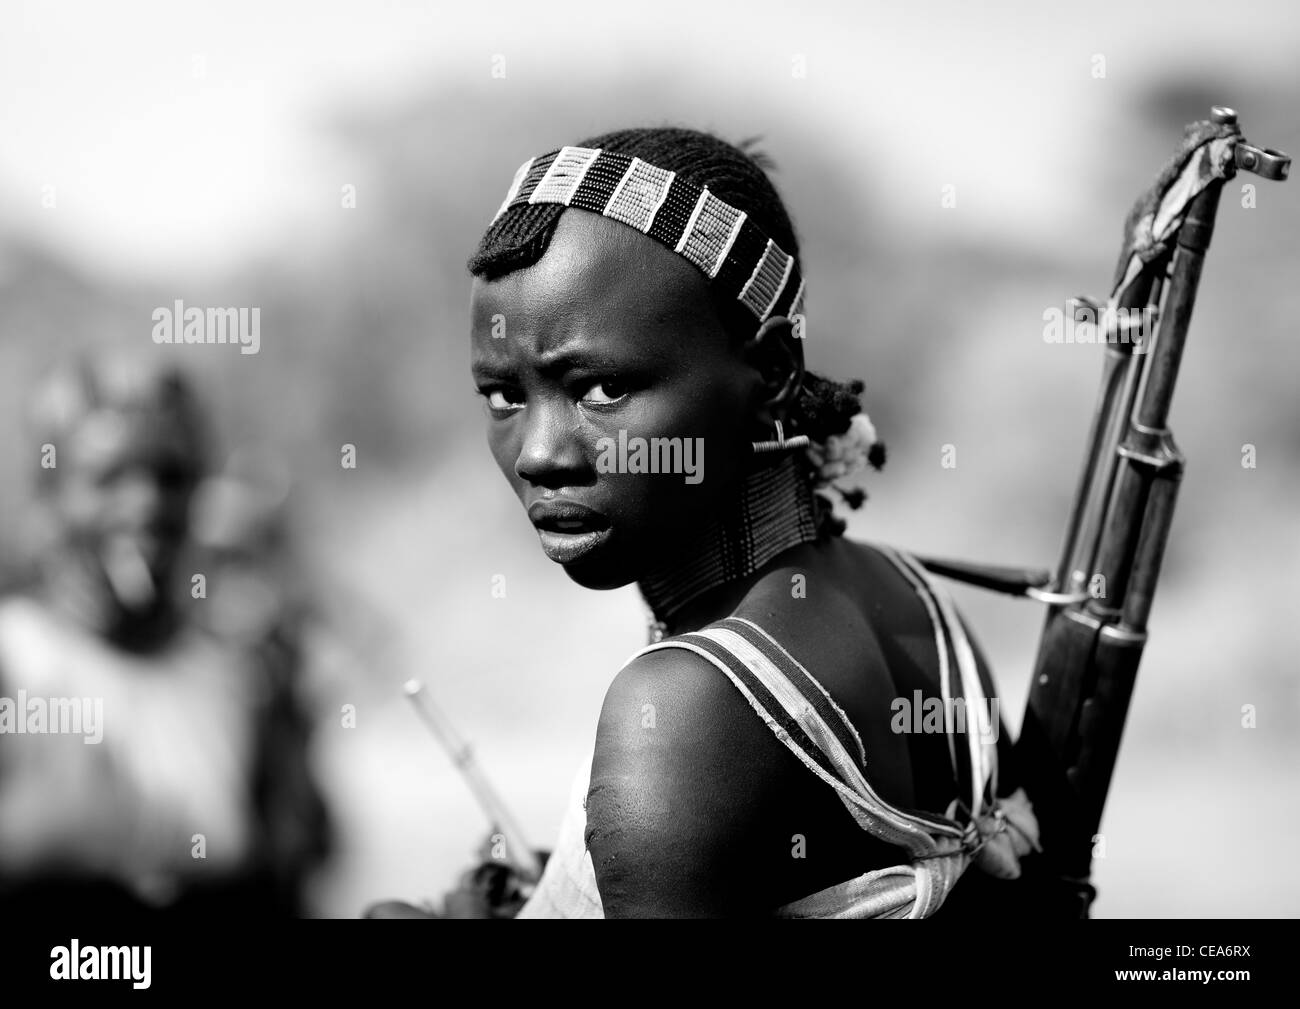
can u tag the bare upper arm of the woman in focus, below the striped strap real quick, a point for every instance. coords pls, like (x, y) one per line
(674, 809)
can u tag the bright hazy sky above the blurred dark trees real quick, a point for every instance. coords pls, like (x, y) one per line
(181, 136)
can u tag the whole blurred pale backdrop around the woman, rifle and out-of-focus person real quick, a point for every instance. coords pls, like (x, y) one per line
(335, 164)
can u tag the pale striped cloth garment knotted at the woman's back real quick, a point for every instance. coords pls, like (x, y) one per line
(804, 717)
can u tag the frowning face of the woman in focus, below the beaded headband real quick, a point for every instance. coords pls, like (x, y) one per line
(588, 361)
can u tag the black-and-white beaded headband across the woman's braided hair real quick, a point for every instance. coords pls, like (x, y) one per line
(722, 241)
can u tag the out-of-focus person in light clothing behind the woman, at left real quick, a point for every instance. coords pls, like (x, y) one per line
(188, 787)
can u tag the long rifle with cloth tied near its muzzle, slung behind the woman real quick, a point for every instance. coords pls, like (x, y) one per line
(1093, 642)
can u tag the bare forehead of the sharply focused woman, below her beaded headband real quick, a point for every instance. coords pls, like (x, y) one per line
(599, 278)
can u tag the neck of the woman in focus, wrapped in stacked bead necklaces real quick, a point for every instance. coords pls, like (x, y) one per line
(772, 513)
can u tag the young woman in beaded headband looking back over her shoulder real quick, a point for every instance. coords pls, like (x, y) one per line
(638, 340)
